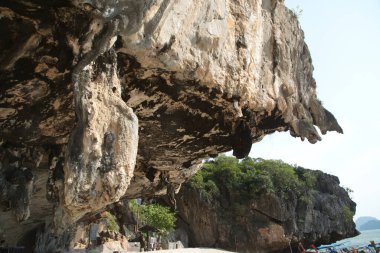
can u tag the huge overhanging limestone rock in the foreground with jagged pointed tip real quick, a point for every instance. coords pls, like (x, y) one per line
(104, 99)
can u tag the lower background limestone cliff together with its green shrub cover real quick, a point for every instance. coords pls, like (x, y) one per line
(220, 212)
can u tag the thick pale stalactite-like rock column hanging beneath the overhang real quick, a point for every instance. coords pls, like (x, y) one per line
(103, 146)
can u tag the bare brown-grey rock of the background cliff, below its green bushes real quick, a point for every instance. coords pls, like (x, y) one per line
(268, 222)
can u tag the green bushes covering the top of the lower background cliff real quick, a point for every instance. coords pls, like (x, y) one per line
(240, 180)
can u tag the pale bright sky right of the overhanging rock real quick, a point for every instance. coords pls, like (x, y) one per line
(344, 40)
